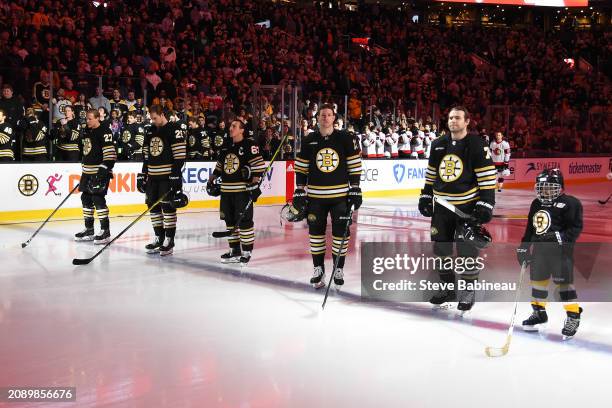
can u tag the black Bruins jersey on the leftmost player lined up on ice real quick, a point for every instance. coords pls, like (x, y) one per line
(98, 148)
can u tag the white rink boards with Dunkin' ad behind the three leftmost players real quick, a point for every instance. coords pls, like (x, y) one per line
(43, 186)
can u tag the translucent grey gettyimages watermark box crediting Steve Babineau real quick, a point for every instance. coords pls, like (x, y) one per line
(408, 272)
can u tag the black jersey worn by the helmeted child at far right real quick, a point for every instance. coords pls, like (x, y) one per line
(560, 221)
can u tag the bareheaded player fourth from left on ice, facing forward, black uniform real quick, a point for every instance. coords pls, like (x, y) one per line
(329, 167)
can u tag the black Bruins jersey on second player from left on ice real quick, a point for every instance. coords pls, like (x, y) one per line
(164, 150)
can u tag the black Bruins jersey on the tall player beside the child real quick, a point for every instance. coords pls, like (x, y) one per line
(461, 171)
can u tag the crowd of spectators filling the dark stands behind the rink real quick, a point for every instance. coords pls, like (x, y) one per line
(203, 59)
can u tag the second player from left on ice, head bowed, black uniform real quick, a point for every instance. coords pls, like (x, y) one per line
(164, 153)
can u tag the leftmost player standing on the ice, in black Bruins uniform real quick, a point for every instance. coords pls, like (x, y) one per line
(99, 156)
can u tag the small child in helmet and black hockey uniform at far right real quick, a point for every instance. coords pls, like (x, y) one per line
(553, 226)
